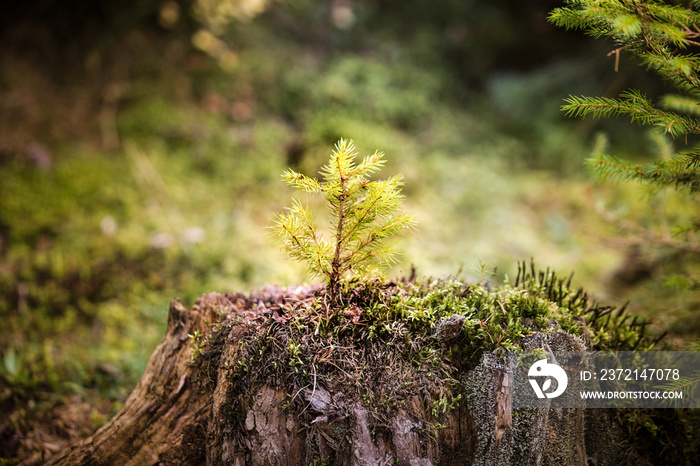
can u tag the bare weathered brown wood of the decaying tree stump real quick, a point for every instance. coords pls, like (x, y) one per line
(181, 413)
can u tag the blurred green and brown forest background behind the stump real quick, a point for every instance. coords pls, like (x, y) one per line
(142, 143)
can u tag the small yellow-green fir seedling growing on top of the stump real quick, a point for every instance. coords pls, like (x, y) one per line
(364, 214)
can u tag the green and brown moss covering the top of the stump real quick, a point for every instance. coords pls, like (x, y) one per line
(387, 346)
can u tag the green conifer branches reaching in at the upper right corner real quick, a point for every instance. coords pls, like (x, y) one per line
(664, 35)
